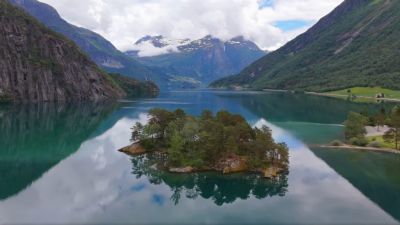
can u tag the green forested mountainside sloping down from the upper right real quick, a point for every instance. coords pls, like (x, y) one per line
(355, 45)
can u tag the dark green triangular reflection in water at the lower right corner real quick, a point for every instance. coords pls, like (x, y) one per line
(376, 175)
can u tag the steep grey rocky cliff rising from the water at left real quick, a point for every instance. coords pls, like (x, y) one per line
(37, 64)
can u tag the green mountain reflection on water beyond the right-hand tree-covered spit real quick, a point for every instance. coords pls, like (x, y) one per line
(284, 107)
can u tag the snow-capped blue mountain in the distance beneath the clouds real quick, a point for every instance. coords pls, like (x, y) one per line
(203, 60)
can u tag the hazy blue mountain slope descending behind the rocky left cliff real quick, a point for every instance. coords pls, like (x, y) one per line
(100, 50)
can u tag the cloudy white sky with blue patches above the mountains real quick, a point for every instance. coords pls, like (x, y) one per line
(269, 23)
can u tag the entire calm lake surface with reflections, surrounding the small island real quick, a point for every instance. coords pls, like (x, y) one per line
(59, 164)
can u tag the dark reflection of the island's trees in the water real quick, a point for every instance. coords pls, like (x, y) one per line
(221, 189)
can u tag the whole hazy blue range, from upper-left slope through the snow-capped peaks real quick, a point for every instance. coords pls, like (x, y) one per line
(185, 63)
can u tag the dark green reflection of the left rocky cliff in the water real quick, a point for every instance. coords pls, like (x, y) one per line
(34, 138)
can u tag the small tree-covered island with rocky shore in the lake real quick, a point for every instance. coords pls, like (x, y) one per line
(224, 143)
